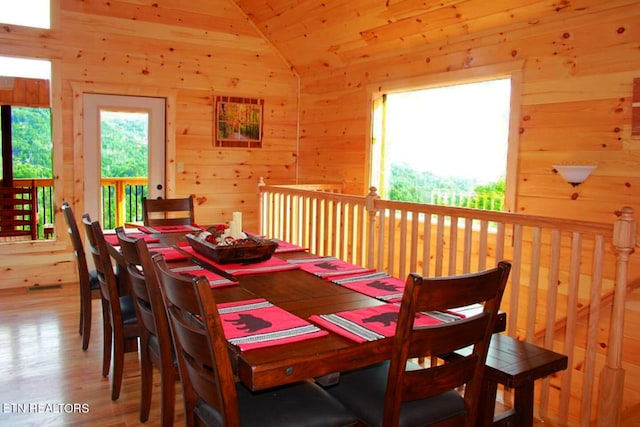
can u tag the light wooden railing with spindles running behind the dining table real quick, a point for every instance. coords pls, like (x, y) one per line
(563, 273)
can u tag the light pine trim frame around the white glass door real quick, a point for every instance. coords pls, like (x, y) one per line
(79, 89)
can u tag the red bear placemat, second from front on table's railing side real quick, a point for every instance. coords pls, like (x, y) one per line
(377, 284)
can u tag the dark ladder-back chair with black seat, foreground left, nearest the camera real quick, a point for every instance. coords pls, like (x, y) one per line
(211, 394)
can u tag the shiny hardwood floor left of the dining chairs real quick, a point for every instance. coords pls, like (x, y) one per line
(46, 378)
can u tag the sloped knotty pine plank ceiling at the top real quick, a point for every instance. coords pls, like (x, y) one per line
(337, 33)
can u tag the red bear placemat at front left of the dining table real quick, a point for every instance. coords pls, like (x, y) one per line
(258, 323)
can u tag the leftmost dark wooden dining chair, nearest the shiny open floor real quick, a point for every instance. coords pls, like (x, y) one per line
(88, 279)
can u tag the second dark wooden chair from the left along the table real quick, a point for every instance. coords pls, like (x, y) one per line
(119, 321)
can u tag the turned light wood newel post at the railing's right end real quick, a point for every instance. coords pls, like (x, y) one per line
(612, 375)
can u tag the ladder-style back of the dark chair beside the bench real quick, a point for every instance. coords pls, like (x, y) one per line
(444, 294)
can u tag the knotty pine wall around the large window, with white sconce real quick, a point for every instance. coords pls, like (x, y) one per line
(575, 106)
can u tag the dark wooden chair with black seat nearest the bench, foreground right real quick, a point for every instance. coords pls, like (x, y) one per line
(401, 393)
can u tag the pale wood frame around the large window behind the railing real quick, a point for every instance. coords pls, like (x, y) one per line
(512, 70)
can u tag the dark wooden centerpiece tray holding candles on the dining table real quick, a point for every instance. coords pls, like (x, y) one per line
(249, 250)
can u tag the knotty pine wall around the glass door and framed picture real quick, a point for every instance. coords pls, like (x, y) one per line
(191, 50)
